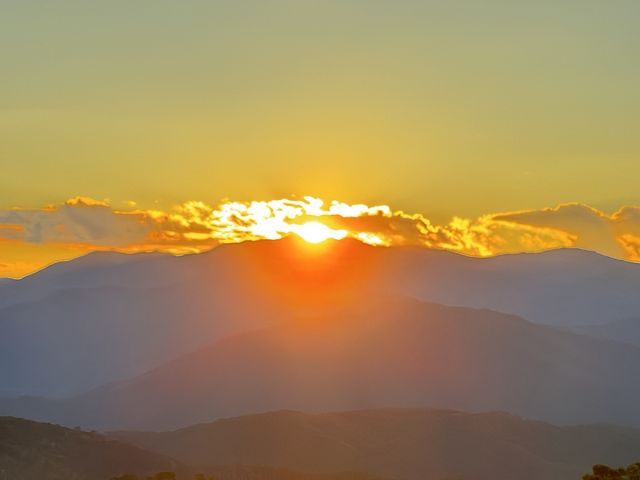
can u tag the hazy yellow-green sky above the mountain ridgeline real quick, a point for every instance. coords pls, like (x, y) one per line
(460, 110)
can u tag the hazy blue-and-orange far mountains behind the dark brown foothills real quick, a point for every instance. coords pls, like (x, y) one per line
(150, 341)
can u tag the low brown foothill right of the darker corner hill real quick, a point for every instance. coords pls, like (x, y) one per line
(402, 443)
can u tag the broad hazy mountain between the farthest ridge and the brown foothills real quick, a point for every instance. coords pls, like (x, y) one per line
(390, 352)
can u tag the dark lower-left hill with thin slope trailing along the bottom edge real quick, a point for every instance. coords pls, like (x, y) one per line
(36, 451)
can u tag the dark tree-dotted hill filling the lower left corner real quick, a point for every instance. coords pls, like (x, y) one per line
(36, 451)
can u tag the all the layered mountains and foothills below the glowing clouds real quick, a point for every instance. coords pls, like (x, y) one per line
(192, 347)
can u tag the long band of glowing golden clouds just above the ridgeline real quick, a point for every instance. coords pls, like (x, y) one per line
(84, 224)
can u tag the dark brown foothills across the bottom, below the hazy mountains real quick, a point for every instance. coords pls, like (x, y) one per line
(381, 444)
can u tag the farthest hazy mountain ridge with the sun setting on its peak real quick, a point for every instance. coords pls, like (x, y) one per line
(107, 316)
